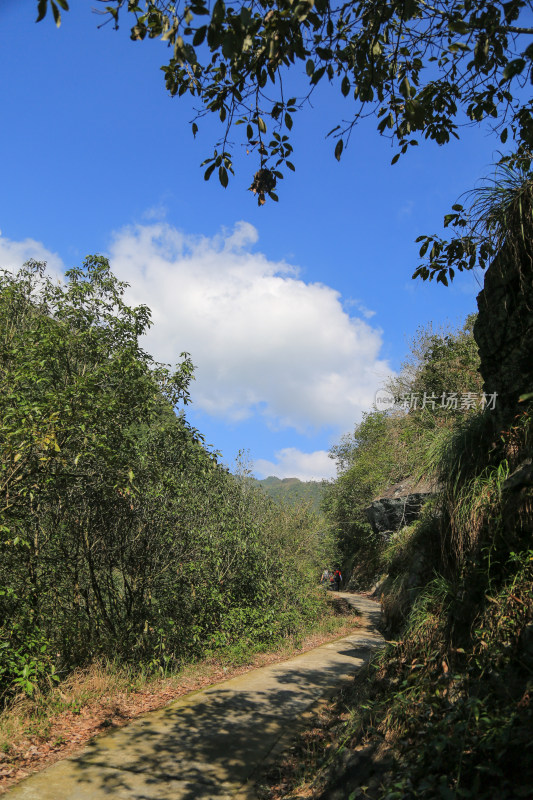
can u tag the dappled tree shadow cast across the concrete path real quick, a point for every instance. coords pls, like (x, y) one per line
(207, 745)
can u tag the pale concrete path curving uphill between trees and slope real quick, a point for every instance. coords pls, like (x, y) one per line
(208, 744)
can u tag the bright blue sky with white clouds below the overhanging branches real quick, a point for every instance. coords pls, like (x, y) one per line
(294, 313)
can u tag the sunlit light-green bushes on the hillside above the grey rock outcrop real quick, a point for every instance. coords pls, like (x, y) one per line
(392, 446)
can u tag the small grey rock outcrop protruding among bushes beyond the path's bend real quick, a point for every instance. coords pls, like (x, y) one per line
(400, 505)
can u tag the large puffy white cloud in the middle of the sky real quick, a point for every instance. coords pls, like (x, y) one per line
(263, 340)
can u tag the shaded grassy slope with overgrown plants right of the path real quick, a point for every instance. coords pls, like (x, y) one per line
(445, 711)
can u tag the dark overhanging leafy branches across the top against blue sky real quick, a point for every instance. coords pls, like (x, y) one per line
(422, 69)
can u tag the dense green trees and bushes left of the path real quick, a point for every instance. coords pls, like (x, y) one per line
(121, 536)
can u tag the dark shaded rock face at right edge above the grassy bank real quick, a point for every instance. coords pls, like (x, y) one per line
(504, 330)
